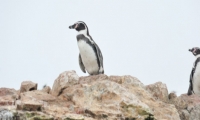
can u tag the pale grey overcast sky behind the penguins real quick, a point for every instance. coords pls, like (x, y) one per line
(145, 39)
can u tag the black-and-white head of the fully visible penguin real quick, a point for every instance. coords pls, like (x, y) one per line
(79, 26)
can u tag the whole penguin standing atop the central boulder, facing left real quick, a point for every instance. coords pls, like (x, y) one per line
(90, 56)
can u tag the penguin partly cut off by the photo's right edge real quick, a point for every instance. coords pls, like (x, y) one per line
(194, 87)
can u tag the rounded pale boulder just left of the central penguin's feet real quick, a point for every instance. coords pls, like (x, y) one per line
(64, 80)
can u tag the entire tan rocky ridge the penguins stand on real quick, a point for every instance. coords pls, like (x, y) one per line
(98, 97)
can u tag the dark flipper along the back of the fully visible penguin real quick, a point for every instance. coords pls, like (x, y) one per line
(100, 58)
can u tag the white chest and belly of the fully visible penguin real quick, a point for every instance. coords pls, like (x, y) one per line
(88, 57)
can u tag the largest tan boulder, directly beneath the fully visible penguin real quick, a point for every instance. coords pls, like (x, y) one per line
(116, 97)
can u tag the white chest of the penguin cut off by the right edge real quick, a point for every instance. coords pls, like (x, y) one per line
(196, 80)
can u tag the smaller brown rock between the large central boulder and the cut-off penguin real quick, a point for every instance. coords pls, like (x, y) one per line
(159, 91)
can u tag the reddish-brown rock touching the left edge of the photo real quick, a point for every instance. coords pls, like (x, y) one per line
(8, 96)
